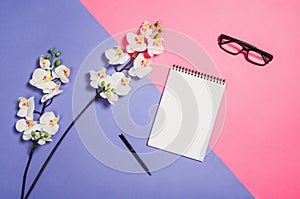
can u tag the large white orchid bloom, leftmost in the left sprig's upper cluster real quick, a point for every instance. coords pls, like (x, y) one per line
(41, 78)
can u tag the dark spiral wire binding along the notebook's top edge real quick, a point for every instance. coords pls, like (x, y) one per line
(198, 74)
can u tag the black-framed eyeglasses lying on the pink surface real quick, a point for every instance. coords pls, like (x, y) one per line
(253, 54)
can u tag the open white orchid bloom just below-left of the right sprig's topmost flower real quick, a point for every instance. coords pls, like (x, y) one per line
(135, 43)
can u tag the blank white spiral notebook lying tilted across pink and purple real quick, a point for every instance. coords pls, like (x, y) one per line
(186, 114)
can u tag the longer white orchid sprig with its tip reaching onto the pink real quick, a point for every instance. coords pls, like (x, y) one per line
(136, 60)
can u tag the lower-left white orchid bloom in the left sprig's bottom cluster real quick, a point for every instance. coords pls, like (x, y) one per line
(29, 128)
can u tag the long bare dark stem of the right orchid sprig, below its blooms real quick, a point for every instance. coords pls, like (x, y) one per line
(58, 144)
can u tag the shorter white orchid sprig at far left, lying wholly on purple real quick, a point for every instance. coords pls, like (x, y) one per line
(40, 126)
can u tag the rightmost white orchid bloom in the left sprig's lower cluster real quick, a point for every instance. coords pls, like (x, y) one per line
(48, 123)
